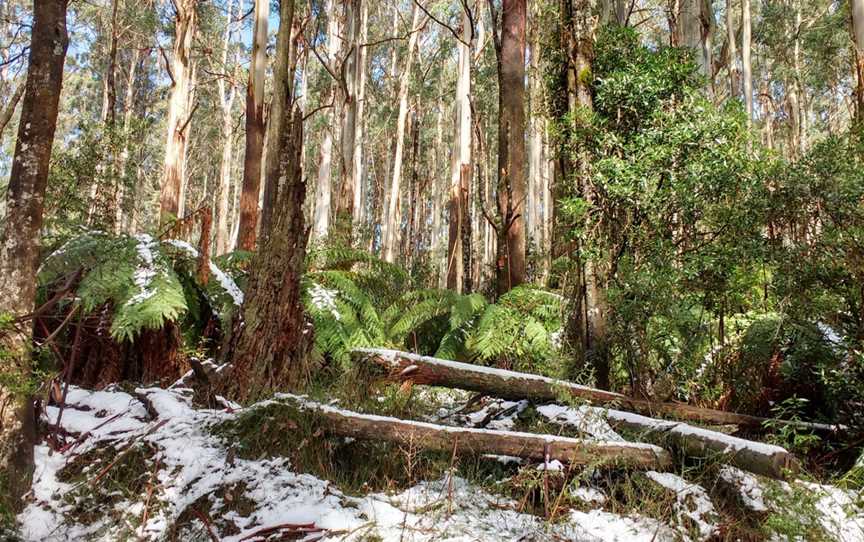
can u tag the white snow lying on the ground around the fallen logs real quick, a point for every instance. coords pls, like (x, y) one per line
(192, 484)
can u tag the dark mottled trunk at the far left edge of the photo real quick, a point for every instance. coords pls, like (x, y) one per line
(20, 237)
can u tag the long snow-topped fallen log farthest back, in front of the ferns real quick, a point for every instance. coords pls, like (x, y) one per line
(505, 384)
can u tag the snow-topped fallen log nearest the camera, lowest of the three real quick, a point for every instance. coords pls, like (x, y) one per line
(346, 423)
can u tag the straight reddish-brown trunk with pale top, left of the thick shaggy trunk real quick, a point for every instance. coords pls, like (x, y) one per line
(252, 161)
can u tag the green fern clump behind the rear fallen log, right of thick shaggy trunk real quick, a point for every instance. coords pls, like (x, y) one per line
(357, 305)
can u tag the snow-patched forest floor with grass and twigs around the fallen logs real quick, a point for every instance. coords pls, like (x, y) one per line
(151, 464)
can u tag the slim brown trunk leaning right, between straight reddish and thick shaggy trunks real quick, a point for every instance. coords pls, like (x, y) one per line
(283, 85)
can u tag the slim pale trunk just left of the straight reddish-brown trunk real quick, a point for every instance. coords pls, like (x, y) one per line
(227, 94)
